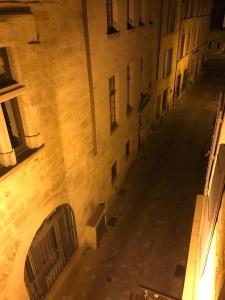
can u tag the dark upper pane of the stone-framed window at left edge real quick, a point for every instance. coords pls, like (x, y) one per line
(5, 71)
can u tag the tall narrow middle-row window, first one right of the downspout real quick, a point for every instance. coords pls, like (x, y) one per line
(112, 102)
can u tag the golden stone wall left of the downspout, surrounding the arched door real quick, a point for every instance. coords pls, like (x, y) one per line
(53, 71)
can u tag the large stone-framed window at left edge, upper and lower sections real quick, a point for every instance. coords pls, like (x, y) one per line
(15, 145)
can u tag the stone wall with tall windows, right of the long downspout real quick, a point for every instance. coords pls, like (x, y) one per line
(110, 56)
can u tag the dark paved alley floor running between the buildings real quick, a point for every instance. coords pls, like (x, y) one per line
(154, 209)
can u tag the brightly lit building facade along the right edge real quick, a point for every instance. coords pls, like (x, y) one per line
(205, 270)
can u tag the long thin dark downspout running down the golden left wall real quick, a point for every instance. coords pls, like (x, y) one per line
(89, 70)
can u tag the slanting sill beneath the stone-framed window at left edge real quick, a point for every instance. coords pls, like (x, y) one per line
(24, 156)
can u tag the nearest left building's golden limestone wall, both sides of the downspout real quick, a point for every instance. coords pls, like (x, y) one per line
(47, 50)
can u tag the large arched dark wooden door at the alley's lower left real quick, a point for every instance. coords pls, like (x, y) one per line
(51, 249)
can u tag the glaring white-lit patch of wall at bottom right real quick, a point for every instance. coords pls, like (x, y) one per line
(206, 285)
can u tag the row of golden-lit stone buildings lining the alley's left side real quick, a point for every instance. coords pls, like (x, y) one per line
(78, 78)
